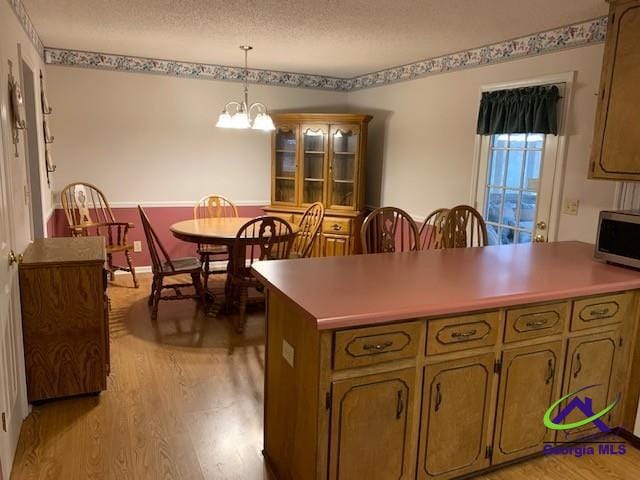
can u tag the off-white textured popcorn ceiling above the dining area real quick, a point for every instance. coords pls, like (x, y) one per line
(331, 37)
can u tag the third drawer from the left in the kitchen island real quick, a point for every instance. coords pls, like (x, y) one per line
(535, 321)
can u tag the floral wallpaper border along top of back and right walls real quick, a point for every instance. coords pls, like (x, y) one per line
(570, 36)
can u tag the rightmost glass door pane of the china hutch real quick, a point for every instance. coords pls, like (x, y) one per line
(345, 148)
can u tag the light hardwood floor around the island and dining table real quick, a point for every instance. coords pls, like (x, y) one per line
(184, 401)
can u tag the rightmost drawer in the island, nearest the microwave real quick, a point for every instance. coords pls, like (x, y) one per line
(599, 311)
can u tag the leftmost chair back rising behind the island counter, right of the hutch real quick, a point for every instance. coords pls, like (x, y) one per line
(389, 229)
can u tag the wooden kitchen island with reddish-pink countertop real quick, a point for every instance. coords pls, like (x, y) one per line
(439, 364)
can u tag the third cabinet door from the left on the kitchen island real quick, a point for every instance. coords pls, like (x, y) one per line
(528, 386)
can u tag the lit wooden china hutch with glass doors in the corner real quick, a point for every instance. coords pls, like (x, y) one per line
(320, 157)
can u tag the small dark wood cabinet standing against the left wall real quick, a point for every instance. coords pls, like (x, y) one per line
(65, 317)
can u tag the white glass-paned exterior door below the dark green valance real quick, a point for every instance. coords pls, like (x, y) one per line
(515, 185)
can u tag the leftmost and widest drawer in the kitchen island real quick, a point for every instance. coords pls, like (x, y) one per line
(368, 346)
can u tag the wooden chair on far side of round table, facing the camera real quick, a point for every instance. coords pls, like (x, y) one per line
(213, 206)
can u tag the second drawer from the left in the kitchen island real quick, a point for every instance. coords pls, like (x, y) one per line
(461, 333)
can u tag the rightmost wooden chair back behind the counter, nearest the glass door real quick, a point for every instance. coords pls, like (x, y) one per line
(464, 227)
